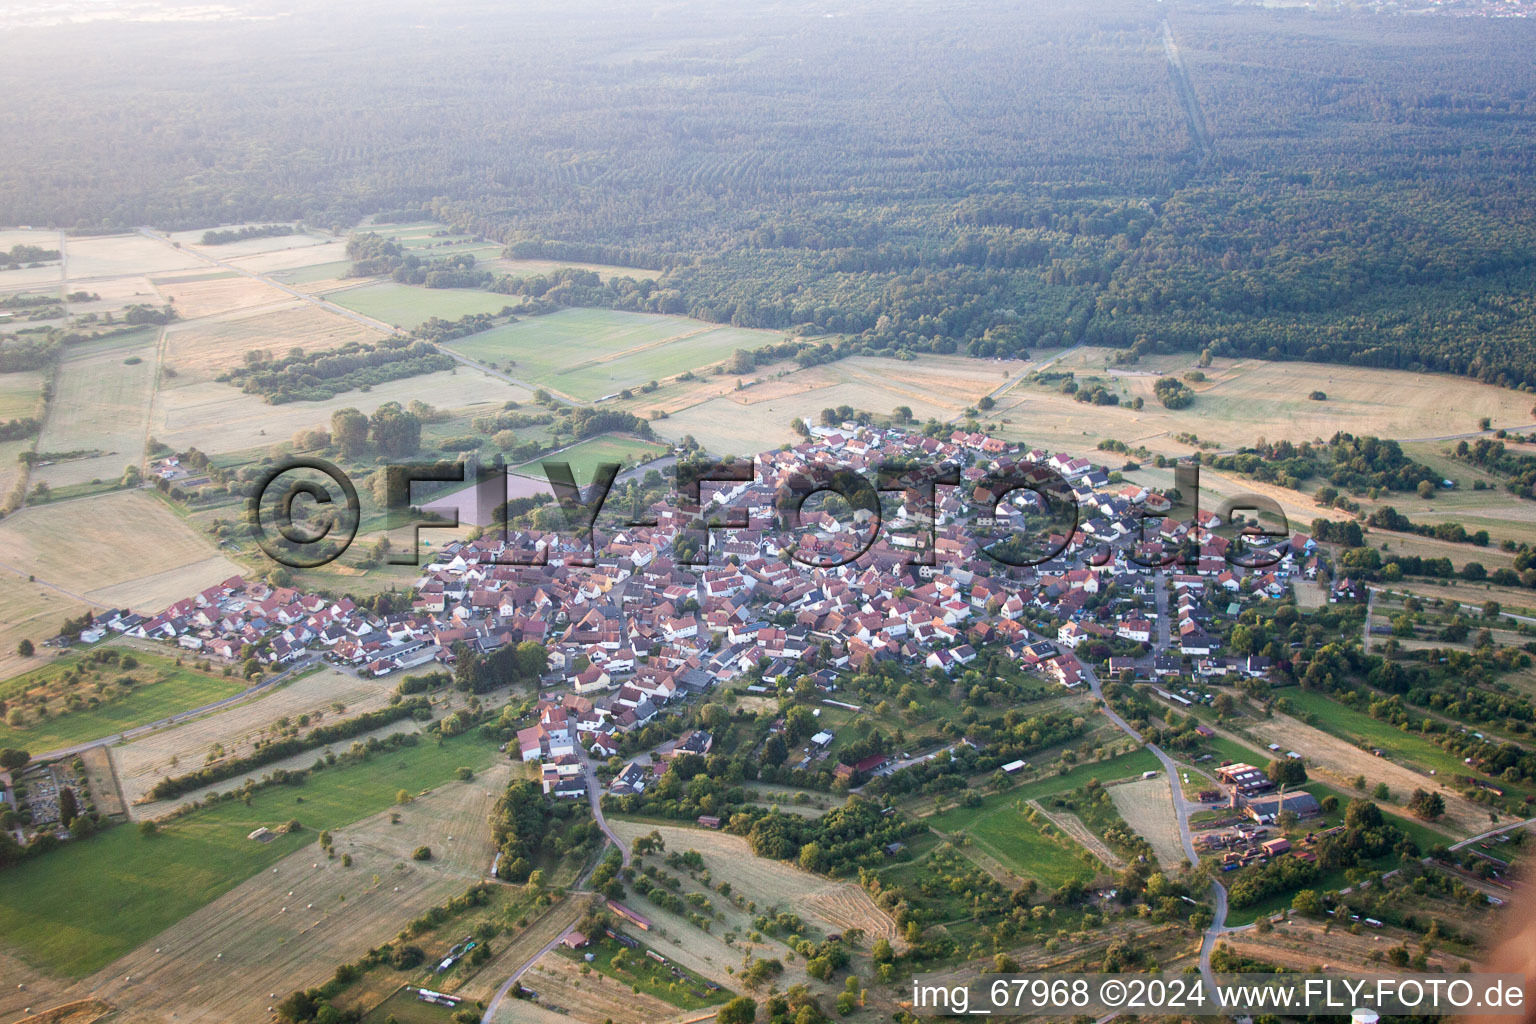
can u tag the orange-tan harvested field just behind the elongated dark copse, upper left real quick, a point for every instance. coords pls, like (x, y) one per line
(204, 349)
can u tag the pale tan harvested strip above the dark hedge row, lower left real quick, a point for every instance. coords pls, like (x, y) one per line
(185, 747)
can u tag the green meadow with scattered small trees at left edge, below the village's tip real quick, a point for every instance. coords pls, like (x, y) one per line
(159, 689)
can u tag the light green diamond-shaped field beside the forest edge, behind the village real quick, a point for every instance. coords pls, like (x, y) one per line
(589, 354)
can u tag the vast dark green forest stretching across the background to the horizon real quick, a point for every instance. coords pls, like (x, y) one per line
(979, 179)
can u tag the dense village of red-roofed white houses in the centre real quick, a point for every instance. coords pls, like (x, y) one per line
(641, 629)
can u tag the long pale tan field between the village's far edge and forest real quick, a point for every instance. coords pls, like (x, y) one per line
(760, 417)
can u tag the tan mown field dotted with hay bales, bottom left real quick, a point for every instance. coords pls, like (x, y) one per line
(222, 963)
